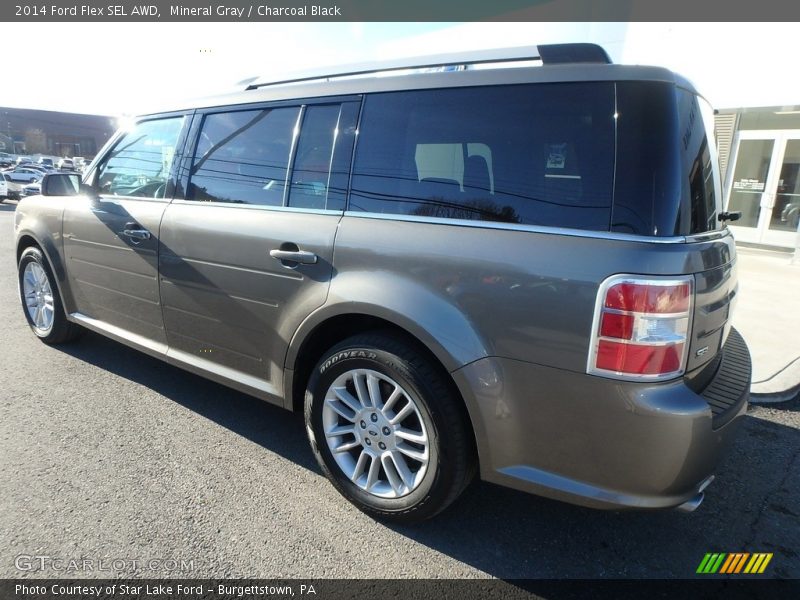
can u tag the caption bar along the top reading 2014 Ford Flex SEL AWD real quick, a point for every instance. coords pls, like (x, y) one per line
(396, 10)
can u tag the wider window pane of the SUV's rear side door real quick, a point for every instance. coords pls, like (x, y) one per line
(242, 157)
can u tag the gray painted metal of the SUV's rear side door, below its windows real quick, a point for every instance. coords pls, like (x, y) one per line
(225, 298)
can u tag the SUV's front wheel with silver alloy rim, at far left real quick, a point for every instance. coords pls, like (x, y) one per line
(41, 302)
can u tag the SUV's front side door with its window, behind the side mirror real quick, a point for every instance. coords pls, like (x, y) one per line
(111, 235)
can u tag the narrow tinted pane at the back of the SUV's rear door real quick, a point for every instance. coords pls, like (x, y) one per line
(313, 158)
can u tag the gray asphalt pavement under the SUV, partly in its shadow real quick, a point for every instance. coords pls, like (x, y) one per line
(115, 458)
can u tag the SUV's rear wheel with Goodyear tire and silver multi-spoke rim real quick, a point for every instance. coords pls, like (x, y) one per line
(404, 462)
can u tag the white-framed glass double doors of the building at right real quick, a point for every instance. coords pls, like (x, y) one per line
(765, 187)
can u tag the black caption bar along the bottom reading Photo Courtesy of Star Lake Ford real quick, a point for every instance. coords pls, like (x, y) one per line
(734, 588)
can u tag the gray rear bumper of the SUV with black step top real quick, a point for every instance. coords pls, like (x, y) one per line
(600, 442)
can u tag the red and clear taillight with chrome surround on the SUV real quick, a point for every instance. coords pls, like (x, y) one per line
(641, 327)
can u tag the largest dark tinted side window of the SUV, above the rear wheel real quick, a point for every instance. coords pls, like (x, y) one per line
(532, 154)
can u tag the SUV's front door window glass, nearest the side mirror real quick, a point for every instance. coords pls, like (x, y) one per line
(140, 163)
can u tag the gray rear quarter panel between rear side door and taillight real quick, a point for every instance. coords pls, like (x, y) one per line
(481, 291)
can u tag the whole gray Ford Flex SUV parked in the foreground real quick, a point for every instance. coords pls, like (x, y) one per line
(522, 273)
